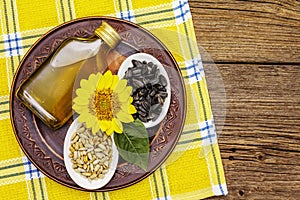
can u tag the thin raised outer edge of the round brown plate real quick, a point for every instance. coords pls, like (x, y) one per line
(13, 90)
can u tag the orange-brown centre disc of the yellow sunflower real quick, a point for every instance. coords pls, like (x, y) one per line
(103, 104)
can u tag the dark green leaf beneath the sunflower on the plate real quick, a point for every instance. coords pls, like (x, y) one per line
(133, 143)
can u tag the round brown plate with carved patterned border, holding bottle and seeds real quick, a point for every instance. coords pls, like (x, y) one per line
(44, 146)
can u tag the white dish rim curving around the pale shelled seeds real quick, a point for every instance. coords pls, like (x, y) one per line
(76, 177)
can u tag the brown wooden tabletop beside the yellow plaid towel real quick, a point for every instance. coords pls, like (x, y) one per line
(256, 48)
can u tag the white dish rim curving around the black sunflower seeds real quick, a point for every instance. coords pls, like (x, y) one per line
(149, 58)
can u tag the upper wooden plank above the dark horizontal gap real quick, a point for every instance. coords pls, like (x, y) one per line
(248, 30)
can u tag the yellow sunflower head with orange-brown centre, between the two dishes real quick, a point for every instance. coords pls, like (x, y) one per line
(104, 102)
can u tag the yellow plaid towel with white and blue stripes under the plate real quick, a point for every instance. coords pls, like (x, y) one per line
(193, 171)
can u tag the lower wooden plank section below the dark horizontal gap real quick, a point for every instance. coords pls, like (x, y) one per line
(260, 142)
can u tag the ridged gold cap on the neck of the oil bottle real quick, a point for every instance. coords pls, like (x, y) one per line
(108, 35)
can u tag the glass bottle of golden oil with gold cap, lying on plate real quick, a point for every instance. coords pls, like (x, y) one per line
(48, 91)
